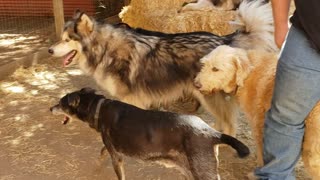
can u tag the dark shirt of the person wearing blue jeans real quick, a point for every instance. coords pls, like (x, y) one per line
(307, 18)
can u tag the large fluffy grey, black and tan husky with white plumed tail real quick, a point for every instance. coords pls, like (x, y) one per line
(147, 68)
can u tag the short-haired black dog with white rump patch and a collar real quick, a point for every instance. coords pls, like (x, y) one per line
(180, 141)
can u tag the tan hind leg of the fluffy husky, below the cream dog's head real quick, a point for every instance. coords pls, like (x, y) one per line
(224, 110)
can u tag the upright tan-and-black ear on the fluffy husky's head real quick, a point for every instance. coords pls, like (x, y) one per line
(84, 24)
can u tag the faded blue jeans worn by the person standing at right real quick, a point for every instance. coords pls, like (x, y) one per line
(296, 91)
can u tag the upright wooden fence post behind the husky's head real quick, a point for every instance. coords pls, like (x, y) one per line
(58, 16)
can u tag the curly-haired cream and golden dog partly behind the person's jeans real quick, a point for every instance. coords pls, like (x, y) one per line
(249, 75)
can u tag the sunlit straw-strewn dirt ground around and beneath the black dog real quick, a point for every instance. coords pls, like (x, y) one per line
(34, 145)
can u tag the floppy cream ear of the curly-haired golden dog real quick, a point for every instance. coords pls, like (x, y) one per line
(243, 66)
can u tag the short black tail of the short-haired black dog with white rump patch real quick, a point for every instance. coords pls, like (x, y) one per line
(241, 148)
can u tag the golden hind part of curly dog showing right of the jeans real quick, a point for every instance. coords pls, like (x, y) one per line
(311, 143)
